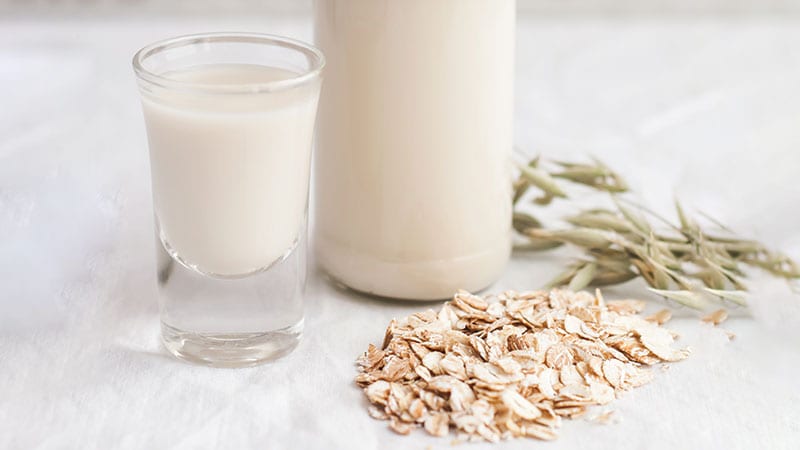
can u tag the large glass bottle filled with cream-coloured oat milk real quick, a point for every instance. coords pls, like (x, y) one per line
(414, 144)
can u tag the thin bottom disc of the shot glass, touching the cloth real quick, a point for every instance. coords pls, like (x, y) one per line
(230, 350)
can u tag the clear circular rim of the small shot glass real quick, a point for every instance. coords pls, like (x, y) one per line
(315, 56)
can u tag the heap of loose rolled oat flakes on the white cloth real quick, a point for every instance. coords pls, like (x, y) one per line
(512, 365)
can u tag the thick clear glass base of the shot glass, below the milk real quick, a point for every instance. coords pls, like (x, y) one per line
(231, 321)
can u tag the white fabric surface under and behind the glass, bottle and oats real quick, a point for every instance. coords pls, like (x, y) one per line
(704, 108)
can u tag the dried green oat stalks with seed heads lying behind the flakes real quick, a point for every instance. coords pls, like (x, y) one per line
(683, 262)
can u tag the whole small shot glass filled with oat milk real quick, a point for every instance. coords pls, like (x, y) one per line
(230, 122)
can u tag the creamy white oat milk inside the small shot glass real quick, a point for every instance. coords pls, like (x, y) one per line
(230, 171)
